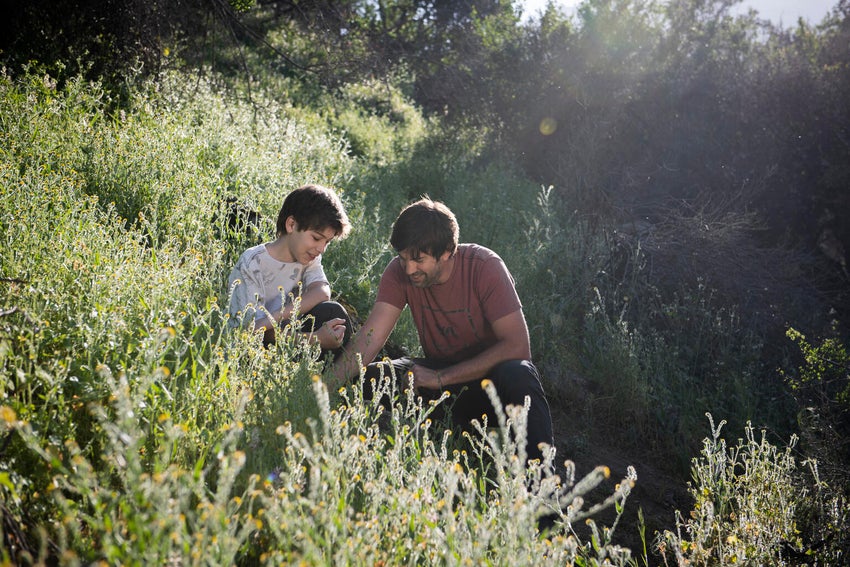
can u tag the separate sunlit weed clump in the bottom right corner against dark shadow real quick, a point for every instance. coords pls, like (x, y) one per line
(753, 505)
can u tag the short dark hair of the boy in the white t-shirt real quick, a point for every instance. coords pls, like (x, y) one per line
(314, 207)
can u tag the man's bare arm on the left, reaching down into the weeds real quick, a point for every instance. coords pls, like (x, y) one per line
(367, 342)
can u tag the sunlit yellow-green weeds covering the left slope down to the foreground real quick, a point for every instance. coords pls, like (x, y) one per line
(139, 429)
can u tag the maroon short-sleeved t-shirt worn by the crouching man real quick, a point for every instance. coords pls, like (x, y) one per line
(454, 318)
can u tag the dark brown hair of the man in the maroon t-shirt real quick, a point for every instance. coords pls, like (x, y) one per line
(425, 226)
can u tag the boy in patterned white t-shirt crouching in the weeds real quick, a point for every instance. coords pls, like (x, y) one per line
(268, 278)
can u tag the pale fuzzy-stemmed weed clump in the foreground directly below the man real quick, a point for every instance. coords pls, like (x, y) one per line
(373, 485)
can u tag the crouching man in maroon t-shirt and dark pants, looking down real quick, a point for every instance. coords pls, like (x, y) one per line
(468, 317)
